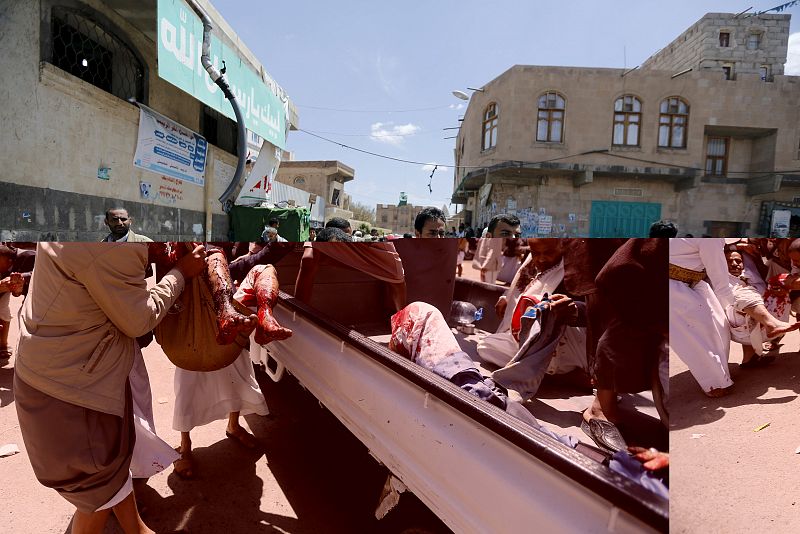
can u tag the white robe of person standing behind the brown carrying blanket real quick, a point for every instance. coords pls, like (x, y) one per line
(201, 398)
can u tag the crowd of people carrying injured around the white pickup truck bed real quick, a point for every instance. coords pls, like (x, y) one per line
(570, 309)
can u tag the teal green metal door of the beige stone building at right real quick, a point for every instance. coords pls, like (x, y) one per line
(622, 219)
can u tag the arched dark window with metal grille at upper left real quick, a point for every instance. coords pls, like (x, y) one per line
(81, 47)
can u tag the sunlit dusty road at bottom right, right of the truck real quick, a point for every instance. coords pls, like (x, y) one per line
(725, 477)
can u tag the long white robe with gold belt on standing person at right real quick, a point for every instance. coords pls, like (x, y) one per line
(698, 329)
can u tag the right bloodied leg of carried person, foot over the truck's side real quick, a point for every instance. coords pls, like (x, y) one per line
(260, 287)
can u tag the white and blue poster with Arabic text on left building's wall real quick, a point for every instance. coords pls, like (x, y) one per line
(167, 148)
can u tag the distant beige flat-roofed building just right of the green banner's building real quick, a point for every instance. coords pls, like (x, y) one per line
(325, 179)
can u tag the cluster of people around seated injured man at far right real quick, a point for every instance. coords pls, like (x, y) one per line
(731, 290)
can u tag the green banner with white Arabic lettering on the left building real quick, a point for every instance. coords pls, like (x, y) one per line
(180, 42)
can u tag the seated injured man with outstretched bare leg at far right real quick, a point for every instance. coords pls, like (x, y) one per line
(751, 323)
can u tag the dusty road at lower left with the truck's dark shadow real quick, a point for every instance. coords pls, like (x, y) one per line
(312, 476)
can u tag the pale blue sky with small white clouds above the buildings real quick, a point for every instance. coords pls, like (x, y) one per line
(378, 75)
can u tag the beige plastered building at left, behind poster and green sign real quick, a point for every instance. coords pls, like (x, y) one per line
(69, 132)
